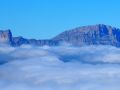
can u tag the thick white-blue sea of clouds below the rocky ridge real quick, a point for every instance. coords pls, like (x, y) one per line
(59, 68)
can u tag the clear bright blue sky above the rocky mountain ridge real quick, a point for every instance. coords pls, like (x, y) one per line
(44, 19)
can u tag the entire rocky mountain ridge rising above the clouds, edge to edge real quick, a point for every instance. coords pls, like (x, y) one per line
(99, 34)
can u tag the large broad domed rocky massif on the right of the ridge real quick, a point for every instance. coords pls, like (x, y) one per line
(91, 35)
